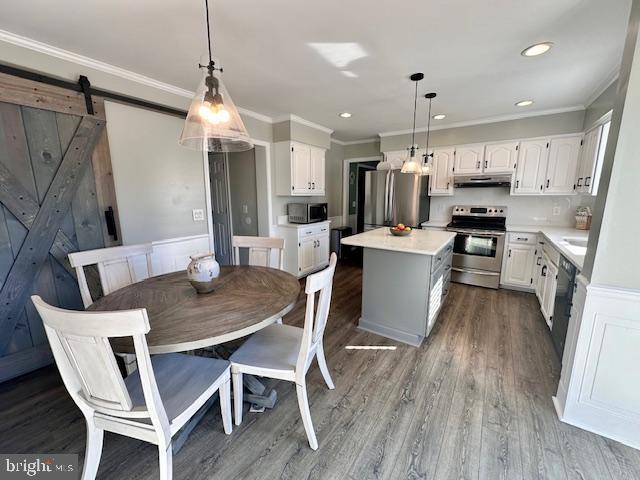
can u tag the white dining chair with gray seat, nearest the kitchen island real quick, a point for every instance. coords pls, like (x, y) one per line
(285, 352)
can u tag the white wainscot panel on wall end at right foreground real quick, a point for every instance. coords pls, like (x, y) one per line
(603, 391)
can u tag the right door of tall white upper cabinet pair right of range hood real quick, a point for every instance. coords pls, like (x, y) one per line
(561, 168)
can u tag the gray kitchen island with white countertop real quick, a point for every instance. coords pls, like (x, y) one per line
(404, 281)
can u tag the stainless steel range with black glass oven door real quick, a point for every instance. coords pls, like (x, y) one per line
(479, 243)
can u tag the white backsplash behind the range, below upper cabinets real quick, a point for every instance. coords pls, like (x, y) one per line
(523, 210)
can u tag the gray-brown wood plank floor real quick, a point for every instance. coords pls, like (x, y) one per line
(473, 402)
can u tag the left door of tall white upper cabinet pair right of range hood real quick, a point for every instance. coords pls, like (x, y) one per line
(531, 166)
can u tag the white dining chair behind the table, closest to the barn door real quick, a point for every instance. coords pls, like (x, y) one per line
(117, 269)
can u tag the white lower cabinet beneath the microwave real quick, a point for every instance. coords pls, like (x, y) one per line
(306, 247)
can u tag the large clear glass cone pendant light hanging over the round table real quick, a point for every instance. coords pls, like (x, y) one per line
(213, 123)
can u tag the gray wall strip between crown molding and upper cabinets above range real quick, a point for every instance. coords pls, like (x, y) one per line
(569, 122)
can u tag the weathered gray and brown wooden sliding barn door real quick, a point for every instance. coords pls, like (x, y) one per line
(53, 184)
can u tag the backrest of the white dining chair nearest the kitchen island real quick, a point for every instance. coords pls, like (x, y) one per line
(316, 319)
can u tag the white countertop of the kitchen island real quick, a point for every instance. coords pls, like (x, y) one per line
(421, 242)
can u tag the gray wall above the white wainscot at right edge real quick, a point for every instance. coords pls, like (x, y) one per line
(612, 255)
